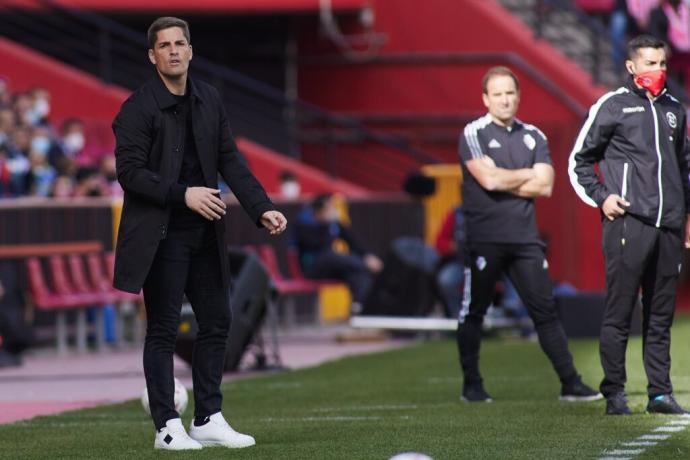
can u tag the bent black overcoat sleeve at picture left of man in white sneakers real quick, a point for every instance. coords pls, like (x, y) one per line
(133, 142)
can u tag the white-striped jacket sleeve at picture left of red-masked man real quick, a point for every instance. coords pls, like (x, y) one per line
(589, 149)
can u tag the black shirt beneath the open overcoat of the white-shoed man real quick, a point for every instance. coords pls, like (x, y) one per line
(190, 172)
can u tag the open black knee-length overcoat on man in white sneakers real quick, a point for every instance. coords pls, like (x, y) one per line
(149, 134)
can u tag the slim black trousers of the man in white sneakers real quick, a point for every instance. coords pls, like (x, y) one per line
(187, 262)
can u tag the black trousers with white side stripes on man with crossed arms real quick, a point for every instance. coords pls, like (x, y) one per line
(527, 268)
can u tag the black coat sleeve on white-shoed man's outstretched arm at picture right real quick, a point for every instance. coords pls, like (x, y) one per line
(234, 170)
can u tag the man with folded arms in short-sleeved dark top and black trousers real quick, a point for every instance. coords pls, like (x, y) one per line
(506, 164)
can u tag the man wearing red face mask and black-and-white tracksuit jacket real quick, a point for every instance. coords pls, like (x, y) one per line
(637, 135)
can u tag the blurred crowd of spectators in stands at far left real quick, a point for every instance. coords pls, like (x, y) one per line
(42, 160)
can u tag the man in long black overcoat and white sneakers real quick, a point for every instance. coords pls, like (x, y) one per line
(173, 138)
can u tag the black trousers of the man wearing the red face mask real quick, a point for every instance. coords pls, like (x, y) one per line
(638, 255)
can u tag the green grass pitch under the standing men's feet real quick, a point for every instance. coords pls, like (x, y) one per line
(374, 406)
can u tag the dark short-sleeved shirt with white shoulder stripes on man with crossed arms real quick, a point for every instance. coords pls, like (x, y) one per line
(500, 217)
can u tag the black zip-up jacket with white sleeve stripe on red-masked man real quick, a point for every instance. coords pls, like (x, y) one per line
(640, 145)
